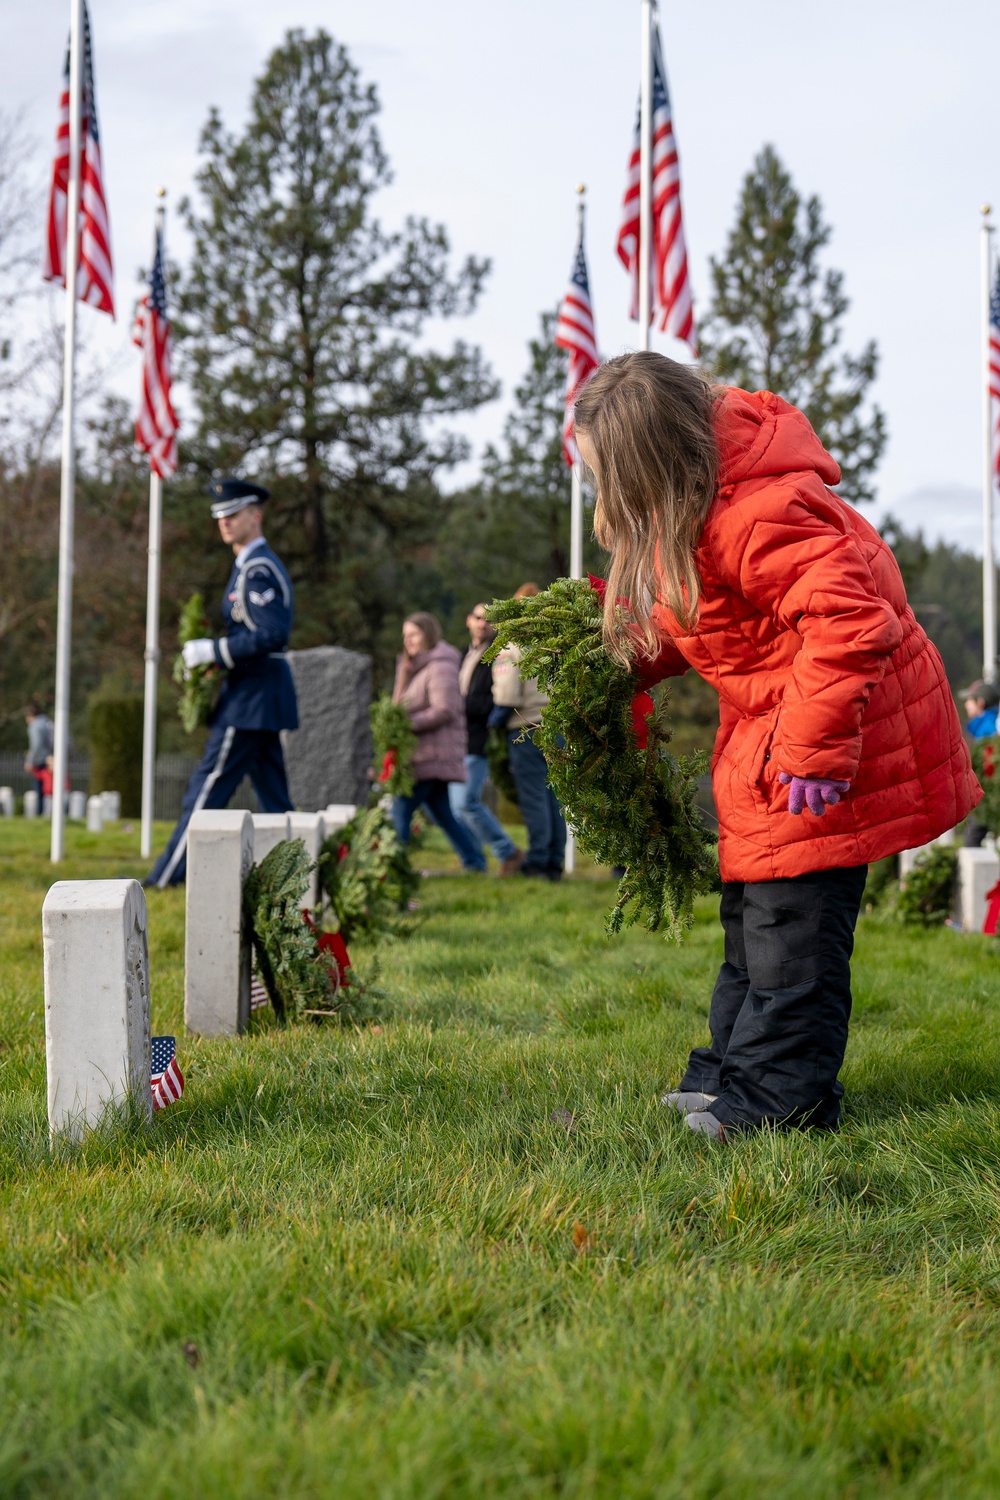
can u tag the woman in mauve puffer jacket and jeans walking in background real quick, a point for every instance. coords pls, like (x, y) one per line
(428, 688)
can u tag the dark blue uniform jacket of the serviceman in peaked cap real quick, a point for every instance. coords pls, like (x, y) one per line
(259, 691)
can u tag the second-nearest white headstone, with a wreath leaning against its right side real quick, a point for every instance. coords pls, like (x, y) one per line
(217, 944)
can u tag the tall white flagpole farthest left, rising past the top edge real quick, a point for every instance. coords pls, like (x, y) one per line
(67, 499)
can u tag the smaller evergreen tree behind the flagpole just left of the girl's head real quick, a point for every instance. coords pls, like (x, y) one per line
(515, 526)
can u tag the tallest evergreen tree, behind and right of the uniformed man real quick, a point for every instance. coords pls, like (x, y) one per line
(299, 329)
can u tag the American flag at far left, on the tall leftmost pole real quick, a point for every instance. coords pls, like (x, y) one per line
(95, 274)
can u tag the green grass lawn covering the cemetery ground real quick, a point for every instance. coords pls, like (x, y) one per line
(470, 1255)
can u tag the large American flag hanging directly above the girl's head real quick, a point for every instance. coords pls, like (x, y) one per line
(671, 304)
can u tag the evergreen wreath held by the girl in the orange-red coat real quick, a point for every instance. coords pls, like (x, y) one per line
(629, 806)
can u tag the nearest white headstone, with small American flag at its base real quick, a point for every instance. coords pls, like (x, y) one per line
(97, 1001)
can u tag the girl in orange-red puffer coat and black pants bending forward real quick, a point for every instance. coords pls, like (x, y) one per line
(839, 739)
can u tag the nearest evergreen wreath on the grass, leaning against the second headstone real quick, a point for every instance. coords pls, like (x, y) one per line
(289, 959)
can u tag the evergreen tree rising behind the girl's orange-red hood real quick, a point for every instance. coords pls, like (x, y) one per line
(776, 322)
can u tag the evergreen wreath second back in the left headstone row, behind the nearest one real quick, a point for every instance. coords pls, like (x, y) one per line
(370, 878)
